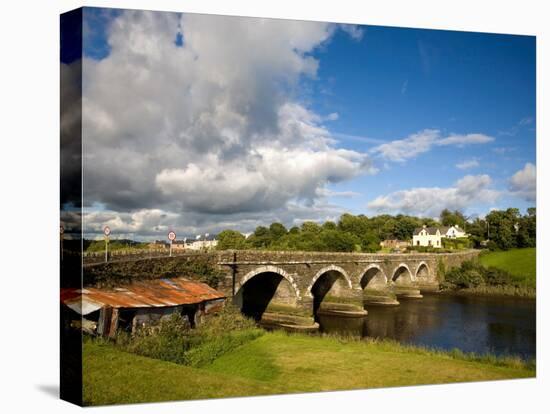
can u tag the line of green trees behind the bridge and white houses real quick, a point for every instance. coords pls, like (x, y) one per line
(504, 229)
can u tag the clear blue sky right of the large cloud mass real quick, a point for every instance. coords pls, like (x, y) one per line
(397, 81)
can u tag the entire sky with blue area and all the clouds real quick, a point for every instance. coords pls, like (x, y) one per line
(384, 120)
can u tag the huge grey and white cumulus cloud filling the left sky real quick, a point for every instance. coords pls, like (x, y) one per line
(209, 127)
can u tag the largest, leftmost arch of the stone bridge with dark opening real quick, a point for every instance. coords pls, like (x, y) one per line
(263, 289)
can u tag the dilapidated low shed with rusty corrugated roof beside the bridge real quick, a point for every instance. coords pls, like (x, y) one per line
(106, 311)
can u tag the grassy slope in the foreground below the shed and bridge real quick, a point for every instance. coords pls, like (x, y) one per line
(278, 363)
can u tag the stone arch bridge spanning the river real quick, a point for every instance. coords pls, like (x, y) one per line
(292, 288)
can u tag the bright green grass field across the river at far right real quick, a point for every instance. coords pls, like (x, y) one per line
(519, 262)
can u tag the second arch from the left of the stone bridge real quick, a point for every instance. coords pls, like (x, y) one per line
(332, 292)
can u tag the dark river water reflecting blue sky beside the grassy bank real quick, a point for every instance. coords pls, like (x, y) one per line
(502, 326)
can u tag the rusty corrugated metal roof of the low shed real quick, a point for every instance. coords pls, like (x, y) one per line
(144, 294)
